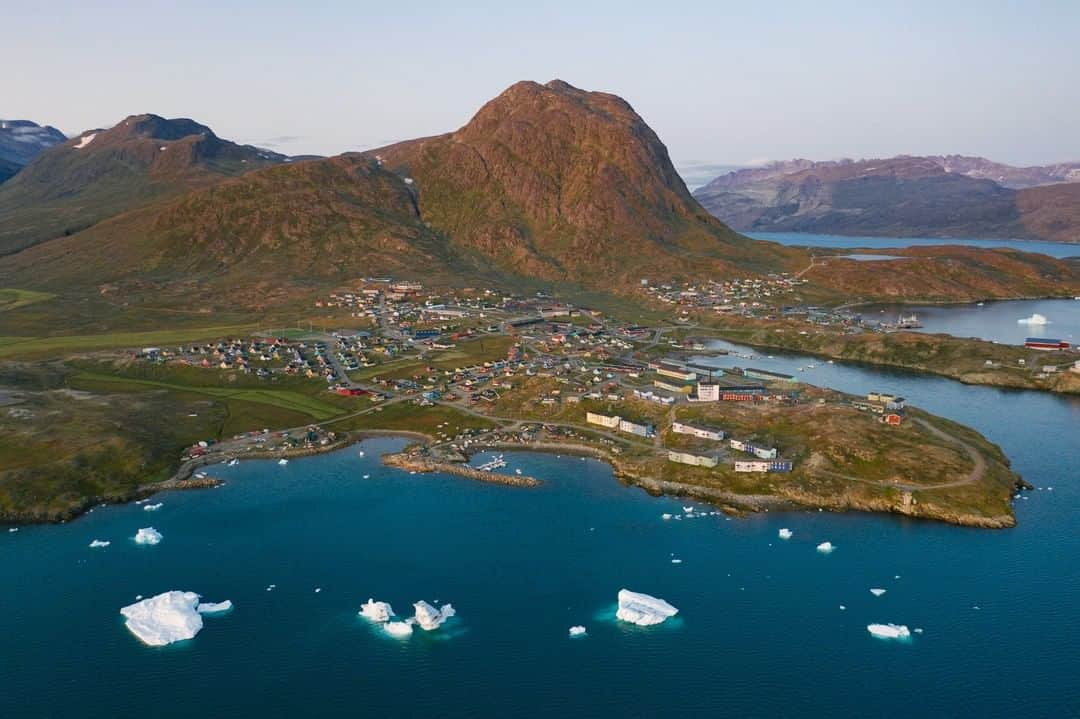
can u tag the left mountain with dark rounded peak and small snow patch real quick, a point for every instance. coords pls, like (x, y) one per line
(101, 173)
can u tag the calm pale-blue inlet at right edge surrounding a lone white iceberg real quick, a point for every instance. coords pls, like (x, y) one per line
(998, 322)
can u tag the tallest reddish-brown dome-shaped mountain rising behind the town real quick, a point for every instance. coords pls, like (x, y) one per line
(555, 182)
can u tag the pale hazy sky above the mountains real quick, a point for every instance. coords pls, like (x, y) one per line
(720, 83)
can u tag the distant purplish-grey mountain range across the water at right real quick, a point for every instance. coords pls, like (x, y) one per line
(934, 196)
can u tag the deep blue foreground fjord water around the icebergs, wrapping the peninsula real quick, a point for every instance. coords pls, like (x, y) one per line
(760, 633)
